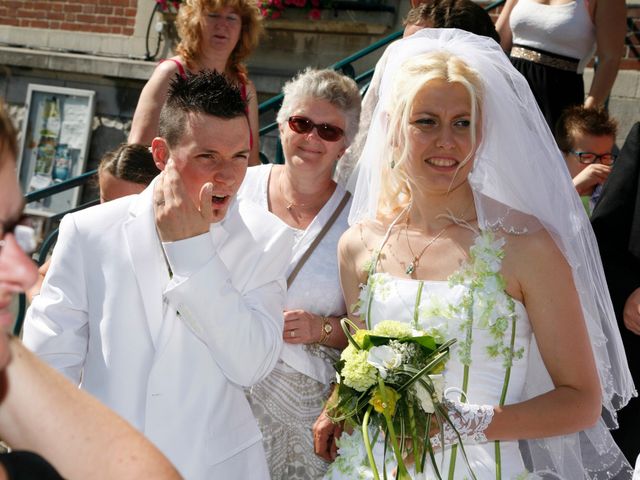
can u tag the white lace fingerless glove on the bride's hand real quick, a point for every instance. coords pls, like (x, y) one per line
(469, 420)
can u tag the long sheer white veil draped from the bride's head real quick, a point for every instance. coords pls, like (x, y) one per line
(520, 184)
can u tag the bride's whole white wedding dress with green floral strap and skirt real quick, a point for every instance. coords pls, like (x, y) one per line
(488, 361)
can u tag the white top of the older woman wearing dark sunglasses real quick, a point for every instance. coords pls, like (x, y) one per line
(316, 288)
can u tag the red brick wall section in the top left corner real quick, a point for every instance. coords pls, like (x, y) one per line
(95, 16)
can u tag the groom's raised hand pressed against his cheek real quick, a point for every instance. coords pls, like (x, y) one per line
(177, 216)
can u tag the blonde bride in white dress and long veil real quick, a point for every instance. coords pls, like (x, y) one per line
(465, 224)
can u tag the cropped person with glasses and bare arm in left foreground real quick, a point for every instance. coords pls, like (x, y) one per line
(41, 413)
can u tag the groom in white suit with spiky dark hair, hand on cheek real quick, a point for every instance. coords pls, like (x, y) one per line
(164, 305)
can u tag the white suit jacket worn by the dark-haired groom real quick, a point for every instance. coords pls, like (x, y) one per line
(99, 320)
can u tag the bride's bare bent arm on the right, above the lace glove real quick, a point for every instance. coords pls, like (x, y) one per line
(554, 310)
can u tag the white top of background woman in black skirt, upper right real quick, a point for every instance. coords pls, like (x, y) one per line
(565, 29)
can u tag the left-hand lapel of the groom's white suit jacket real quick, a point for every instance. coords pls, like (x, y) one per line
(145, 253)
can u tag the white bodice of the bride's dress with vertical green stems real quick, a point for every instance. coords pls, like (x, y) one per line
(440, 308)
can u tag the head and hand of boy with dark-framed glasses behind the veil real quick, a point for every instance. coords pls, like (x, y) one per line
(586, 137)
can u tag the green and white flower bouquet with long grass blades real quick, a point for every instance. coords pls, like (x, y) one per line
(390, 378)
